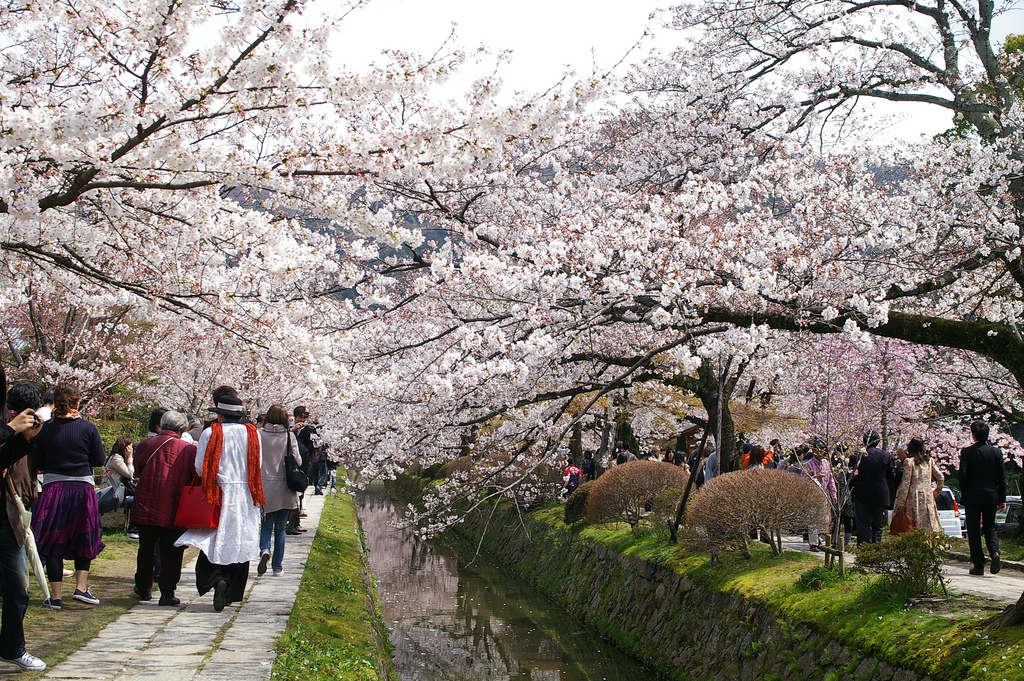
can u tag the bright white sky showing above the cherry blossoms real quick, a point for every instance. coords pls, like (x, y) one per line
(549, 37)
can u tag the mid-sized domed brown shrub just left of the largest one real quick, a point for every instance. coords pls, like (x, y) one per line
(625, 493)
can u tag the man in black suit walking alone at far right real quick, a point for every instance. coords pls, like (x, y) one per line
(984, 488)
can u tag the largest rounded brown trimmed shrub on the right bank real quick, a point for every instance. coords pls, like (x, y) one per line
(728, 510)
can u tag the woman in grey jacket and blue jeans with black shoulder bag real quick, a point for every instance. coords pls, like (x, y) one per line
(277, 442)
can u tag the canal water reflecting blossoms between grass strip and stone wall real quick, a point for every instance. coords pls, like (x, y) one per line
(453, 619)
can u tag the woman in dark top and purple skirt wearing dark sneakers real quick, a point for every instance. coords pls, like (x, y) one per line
(67, 518)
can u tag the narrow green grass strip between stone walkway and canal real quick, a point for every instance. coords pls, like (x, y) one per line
(331, 633)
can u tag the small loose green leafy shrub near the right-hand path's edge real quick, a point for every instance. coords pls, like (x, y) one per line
(912, 562)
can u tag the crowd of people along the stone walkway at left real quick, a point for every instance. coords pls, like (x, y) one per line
(49, 454)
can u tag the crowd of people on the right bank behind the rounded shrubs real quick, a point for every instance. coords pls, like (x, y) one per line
(865, 488)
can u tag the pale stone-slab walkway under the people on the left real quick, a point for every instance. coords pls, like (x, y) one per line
(194, 643)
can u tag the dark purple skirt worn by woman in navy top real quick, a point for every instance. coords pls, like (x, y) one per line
(66, 522)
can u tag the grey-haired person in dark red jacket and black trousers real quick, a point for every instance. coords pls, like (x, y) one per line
(163, 464)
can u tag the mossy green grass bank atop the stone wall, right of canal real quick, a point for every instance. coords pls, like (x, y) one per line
(944, 640)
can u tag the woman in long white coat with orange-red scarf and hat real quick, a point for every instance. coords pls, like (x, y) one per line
(229, 461)
